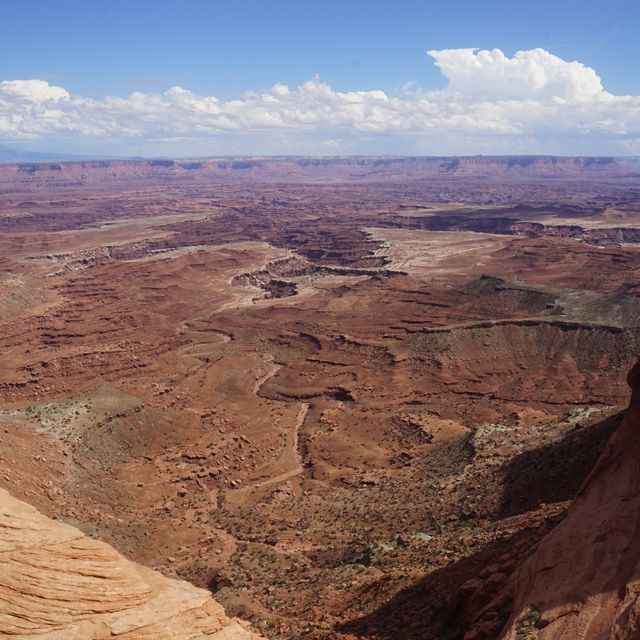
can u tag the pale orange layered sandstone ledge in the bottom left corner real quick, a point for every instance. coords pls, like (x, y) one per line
(57, 584)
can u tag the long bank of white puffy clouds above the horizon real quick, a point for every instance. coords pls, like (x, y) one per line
(533, 102)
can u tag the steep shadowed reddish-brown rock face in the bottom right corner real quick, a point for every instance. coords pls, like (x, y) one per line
(583, 581)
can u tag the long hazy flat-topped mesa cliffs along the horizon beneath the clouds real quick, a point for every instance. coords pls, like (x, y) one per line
(288, 169)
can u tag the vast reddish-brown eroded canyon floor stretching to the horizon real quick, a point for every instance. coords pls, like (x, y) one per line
(347, 398)
